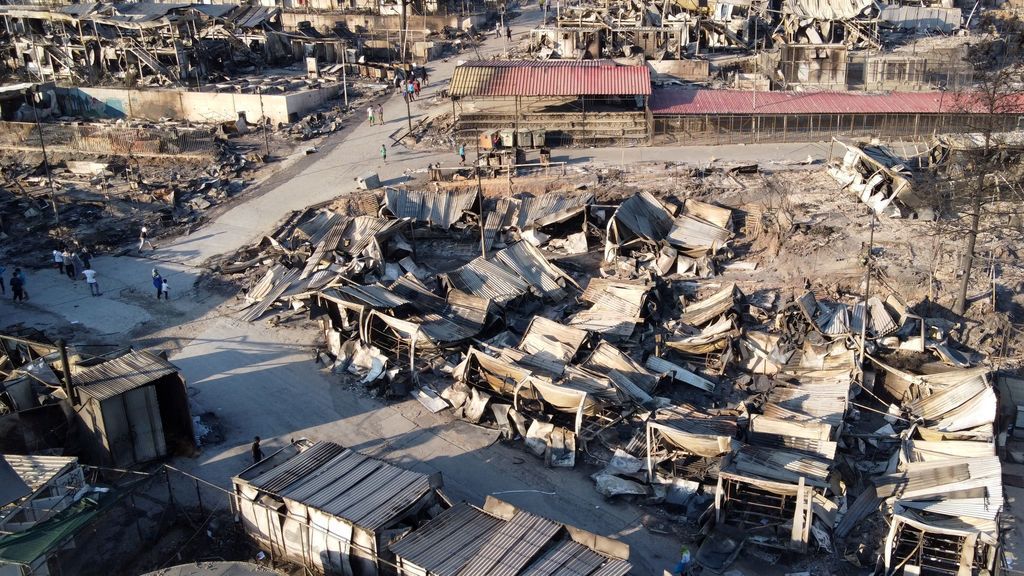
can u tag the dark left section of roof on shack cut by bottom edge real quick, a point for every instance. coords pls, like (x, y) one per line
(448, 543)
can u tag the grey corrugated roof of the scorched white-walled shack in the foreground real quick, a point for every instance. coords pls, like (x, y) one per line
(365, 491)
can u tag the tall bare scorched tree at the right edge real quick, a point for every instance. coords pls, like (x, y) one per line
(982, 169)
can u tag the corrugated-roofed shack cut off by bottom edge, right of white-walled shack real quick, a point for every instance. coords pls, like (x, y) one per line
(502, 540)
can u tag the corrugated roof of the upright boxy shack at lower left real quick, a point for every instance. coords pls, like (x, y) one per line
(117, 377)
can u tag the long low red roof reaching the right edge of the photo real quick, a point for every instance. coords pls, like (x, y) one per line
(684, 102)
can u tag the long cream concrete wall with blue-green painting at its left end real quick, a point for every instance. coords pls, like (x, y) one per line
(191, 106)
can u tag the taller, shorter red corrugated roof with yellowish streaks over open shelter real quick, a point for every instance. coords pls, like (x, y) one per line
(548, 78)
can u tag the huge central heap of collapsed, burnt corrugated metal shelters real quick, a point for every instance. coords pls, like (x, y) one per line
(818, 426)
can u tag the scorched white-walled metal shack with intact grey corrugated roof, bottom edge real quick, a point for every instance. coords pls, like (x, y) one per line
(332, 510)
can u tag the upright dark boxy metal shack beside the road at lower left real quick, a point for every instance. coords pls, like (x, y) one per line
(135, 409)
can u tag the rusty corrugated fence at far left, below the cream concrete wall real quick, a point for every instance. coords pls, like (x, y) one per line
(107, 141)
